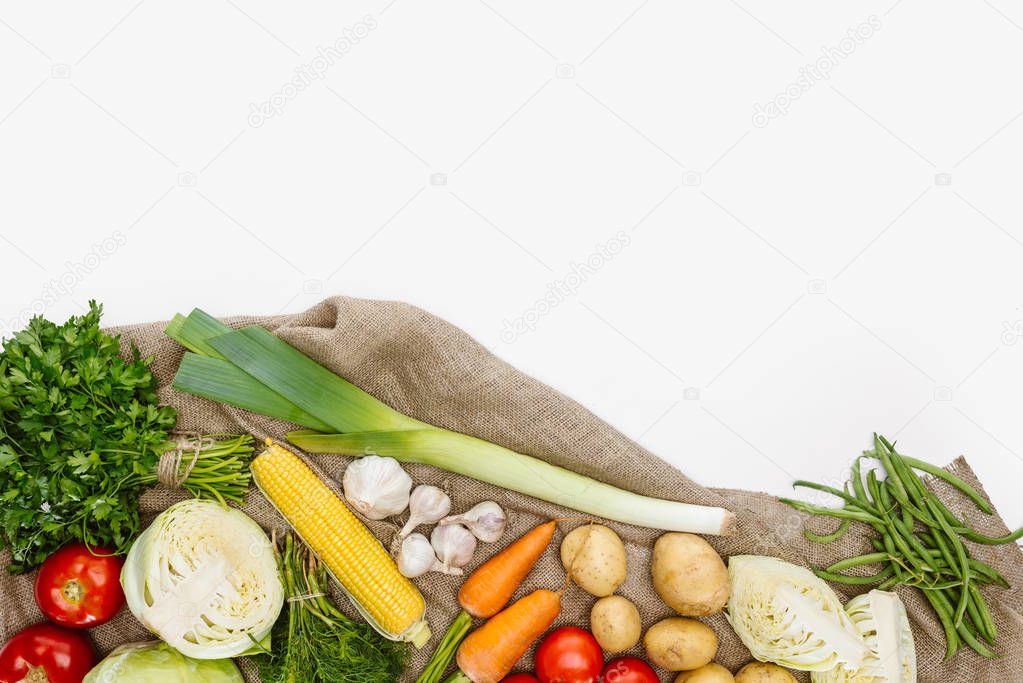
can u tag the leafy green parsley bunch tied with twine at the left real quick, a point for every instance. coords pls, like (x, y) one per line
(81, 435)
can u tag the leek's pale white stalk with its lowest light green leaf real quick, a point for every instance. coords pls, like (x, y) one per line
(496, 465)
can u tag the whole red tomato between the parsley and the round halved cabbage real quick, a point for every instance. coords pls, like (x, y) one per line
(80, 589)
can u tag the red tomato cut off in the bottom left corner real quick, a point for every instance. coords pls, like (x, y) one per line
(47, 654)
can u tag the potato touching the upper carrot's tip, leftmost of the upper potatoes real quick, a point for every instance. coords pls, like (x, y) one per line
(595, 558)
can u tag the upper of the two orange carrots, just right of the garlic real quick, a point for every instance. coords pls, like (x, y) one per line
(490, 588)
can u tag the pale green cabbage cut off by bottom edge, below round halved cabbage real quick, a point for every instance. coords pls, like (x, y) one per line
(145, 663)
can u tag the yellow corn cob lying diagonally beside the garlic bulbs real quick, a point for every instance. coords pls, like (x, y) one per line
(355, 559)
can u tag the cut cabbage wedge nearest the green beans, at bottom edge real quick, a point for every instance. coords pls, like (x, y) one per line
(880, 617)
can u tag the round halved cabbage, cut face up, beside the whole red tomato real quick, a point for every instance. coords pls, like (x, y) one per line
(204, 579)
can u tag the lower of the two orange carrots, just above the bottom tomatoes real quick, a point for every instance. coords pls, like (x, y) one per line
(490, 653)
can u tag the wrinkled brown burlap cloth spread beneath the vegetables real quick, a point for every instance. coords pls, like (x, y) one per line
(433, 372)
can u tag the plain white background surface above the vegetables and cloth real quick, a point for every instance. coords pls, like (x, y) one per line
(790, 284)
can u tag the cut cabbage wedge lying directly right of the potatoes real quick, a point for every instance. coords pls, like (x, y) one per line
(786, 615)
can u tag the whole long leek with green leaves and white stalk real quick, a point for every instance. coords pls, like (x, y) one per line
(253, 370)
